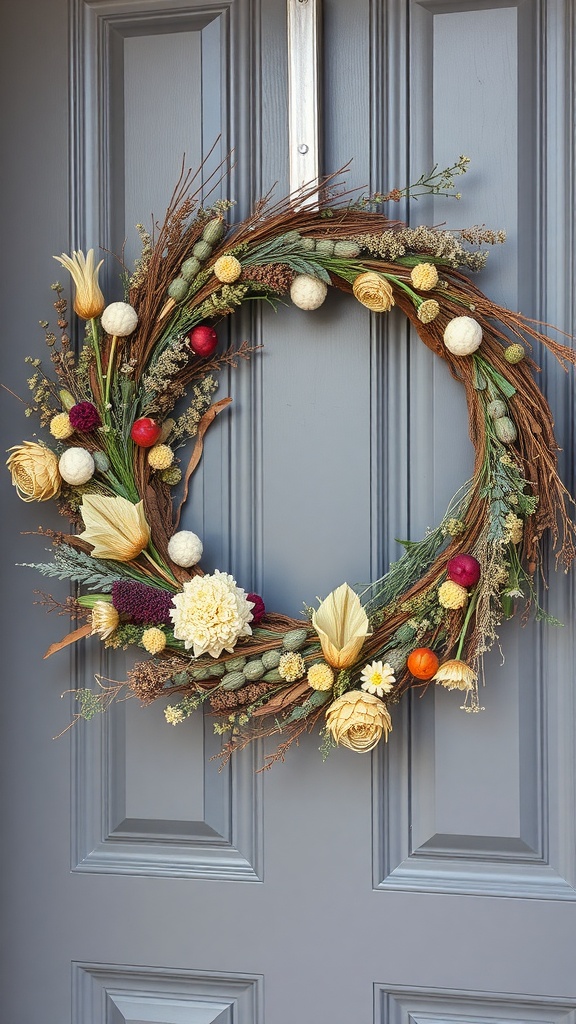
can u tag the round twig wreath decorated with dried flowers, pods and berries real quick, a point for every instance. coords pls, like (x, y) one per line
(112, 465)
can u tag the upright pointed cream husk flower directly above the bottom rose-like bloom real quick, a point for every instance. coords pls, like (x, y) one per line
(343, 626)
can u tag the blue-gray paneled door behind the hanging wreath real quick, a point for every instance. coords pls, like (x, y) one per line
(433, 881)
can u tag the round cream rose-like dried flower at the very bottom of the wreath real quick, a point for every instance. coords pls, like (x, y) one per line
(358, 720)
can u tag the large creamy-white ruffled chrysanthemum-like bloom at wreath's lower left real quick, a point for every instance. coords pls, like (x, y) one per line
(212, 614)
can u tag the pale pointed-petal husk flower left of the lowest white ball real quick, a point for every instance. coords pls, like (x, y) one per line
(115, 528)
